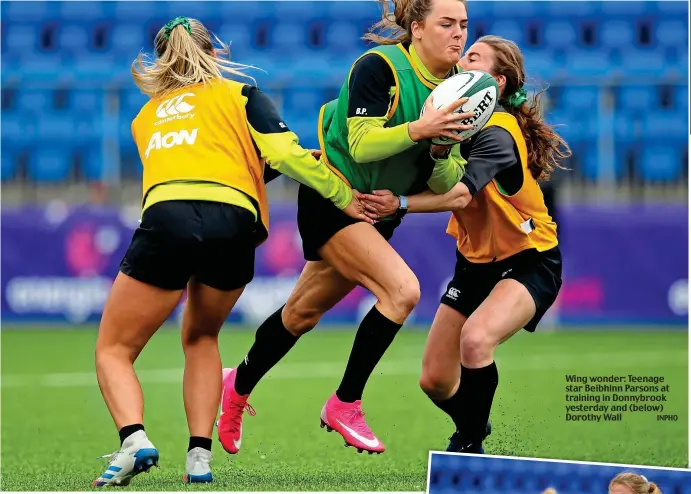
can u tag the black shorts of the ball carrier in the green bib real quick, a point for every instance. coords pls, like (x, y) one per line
(319, 220)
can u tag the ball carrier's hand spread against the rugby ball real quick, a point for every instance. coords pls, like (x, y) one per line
(439, 123)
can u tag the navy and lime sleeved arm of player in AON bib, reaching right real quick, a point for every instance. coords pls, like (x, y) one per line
(279, 147)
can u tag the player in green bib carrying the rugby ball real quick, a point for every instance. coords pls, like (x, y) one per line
(374, 137)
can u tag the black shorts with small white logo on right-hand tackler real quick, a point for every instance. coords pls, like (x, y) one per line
(539, 272)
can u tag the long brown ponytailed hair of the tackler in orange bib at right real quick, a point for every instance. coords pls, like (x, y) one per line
(545, 147)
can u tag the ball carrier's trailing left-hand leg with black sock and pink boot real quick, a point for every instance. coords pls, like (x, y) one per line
(319, 288)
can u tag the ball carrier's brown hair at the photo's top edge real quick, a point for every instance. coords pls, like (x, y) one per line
(398, 22)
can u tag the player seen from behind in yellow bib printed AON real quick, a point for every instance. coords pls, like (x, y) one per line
(204, 212)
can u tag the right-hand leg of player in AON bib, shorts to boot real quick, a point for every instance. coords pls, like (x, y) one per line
(224, 267)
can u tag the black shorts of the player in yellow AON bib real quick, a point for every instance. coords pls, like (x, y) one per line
(177, 240)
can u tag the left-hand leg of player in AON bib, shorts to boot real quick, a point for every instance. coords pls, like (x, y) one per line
(153, 274)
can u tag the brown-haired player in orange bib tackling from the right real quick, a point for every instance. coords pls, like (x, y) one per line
(508, 270)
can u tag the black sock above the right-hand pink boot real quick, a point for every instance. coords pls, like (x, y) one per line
(373, 338)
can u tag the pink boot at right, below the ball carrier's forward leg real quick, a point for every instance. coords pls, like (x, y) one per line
(348, 420)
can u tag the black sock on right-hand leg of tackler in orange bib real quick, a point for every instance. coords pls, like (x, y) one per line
(475, 393)
